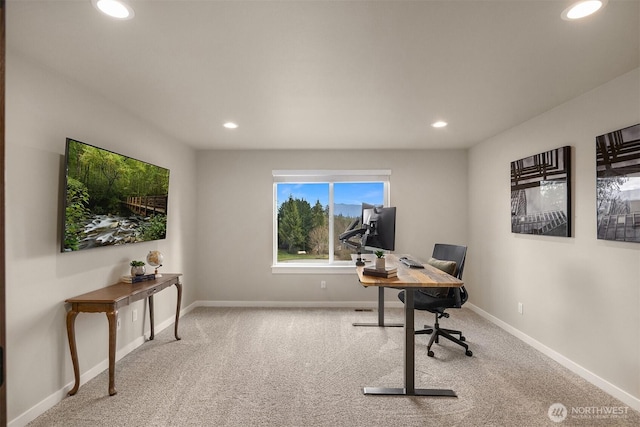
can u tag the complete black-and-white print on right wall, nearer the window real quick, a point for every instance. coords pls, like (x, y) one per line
(541, 193)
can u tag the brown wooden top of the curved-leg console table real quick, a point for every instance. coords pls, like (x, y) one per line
(122, 292)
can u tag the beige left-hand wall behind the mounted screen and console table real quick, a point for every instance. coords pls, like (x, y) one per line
(41, 111)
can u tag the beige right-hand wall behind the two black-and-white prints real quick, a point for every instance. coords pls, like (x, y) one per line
(581, 295)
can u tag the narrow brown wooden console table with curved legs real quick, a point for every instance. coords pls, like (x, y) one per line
(108, 300)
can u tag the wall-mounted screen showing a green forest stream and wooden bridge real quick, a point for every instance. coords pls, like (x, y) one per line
(111, 199)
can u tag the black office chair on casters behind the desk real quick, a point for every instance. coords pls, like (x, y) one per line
(437, 300)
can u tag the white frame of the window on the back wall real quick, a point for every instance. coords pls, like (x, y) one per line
(322, 176)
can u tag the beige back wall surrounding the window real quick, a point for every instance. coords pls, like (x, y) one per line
(235, 222)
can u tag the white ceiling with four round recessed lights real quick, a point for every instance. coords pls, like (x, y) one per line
(330, 74)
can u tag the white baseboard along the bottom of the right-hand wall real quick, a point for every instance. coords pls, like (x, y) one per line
(594, 379)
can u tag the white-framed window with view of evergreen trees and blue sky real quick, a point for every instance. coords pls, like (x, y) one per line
(312, 208)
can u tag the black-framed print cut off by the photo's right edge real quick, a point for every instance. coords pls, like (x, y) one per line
(618, 185)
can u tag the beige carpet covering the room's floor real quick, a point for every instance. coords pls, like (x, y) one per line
(307, 367)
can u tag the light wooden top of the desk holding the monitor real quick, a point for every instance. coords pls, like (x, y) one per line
(428, 277)
